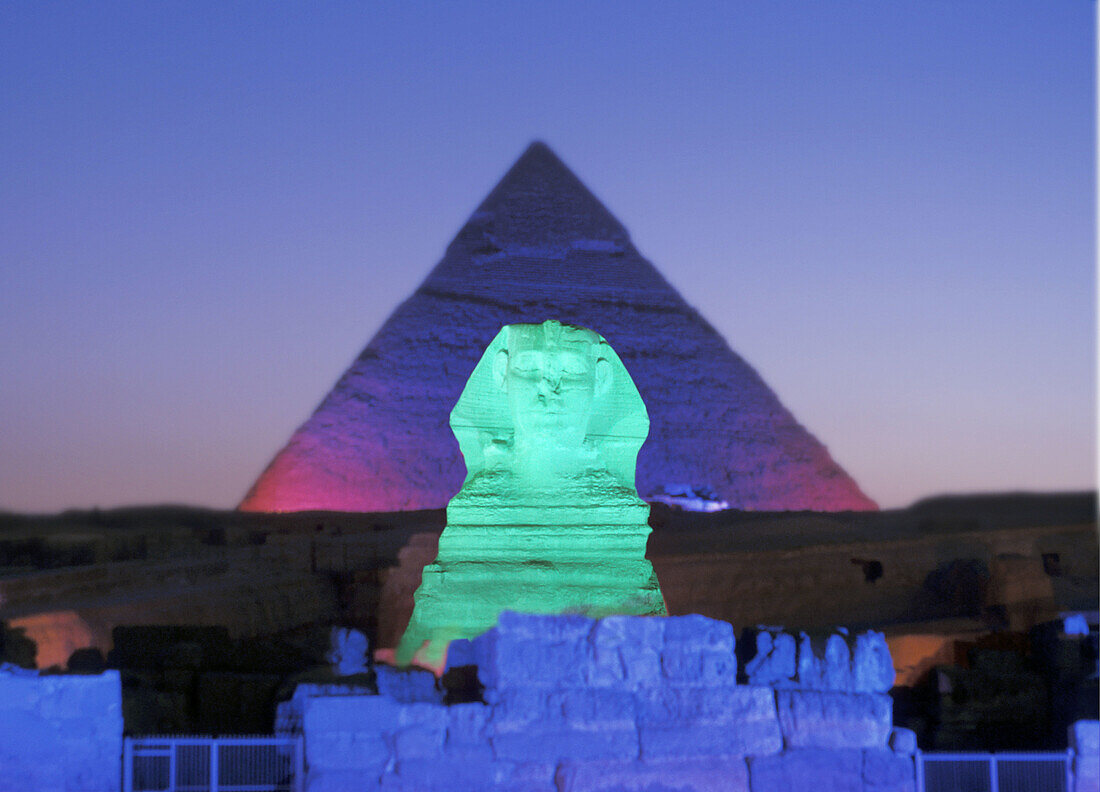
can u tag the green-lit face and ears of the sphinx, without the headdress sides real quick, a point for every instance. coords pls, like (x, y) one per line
(552, 373)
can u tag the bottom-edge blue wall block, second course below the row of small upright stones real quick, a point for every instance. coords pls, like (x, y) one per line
(808, 771)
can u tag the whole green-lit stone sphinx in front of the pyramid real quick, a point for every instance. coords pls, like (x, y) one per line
(548, 520)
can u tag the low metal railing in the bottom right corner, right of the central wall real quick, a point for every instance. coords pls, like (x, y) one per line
(995, 773)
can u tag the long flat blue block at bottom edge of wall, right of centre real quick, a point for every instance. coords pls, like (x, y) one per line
(710, 775)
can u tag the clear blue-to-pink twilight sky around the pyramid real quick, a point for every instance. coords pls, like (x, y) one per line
(208, 210)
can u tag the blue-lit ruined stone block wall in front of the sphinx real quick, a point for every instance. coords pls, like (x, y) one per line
(625, 703)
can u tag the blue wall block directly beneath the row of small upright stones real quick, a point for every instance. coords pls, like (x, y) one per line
(829, 720)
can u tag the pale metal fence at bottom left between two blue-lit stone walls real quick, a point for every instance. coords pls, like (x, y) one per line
(245, 764)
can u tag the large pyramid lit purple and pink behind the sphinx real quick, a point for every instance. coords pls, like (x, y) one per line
(543, 247)
